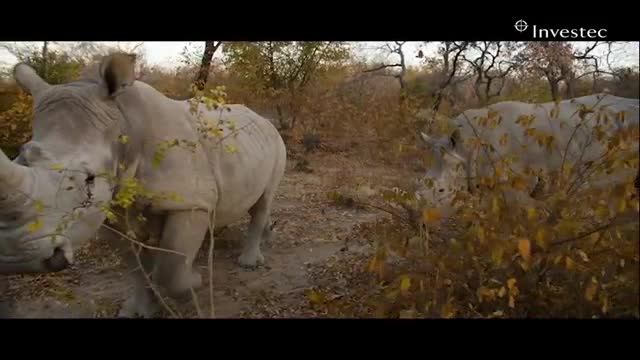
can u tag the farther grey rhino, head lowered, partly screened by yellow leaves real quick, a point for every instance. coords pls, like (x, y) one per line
(457, 163)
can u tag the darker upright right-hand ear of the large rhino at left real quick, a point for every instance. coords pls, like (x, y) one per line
(118, 71)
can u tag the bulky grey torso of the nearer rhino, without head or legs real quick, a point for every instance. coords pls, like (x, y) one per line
(228, 173)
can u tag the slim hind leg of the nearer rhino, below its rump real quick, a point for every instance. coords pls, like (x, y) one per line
(259, 228)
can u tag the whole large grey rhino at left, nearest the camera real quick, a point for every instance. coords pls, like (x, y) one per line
(98, 140)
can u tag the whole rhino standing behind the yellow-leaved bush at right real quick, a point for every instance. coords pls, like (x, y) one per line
(546, 146)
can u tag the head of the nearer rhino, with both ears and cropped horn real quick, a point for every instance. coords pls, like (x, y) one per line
(51, 194)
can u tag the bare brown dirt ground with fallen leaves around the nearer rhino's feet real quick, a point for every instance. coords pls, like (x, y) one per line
(313, 238)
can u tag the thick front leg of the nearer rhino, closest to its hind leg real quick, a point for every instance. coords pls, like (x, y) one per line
(183, 232)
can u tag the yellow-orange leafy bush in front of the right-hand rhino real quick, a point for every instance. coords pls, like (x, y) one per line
(571, 252)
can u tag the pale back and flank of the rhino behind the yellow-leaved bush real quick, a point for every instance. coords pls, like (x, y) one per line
(548, 119)
